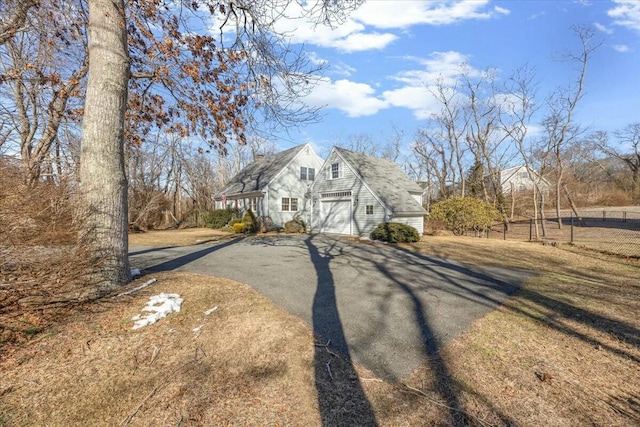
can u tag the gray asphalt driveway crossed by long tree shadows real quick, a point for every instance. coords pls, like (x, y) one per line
(386, 308)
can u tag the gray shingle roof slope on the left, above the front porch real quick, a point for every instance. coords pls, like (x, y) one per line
(258, 174)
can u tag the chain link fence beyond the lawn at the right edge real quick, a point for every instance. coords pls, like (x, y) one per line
(612, 230)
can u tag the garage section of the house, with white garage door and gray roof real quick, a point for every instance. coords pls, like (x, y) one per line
(353, 193)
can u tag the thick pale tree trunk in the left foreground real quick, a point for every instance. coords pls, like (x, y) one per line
(102, 168)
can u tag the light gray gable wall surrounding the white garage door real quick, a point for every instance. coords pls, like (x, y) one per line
(361, 223)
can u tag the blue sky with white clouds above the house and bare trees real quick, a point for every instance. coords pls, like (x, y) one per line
(383, 58)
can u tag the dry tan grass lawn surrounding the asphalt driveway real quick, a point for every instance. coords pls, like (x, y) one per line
(565, 351)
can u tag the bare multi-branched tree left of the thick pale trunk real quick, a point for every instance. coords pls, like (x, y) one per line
(42, 93)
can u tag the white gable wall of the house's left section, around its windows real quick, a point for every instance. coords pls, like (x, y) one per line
(288, 184)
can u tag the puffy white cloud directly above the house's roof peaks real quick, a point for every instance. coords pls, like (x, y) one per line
(355, 99)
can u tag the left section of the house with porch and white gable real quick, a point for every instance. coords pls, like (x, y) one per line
(274, 186)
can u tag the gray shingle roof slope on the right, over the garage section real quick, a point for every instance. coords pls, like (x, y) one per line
(386, 180)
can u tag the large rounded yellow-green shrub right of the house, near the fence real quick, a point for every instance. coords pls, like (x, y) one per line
(464, 213)
